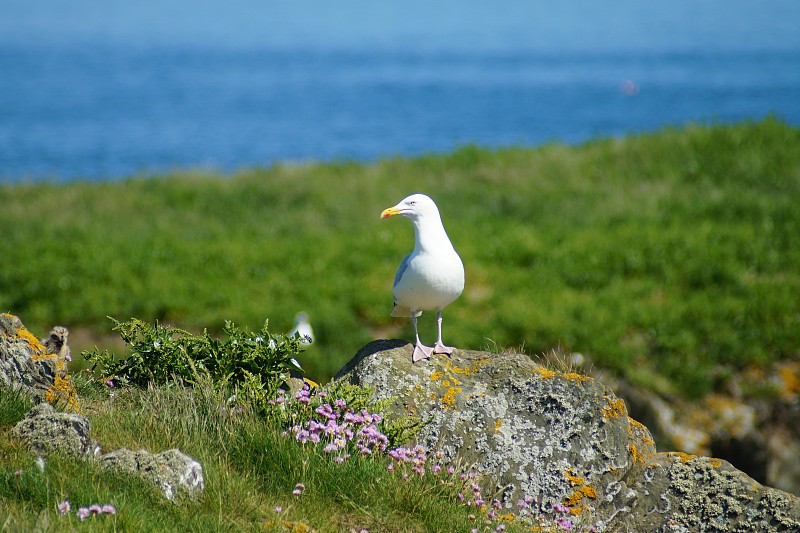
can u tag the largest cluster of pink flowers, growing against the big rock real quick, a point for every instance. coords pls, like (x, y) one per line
(336, 424)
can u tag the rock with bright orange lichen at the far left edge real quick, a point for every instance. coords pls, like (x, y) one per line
(32, 365)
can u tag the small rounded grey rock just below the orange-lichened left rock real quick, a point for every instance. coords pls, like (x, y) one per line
(53, 433)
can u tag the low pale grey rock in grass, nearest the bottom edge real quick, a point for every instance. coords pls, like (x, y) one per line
(172, 471)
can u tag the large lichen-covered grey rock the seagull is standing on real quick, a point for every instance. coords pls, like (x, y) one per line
(564, 438)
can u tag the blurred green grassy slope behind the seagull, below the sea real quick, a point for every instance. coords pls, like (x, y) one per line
(671, 254)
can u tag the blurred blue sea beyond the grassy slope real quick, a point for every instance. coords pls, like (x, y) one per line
(105, 89)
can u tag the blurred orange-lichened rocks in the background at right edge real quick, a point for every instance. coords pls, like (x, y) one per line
(752, 421)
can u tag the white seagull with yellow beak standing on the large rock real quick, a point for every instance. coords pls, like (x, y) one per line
(431, 276)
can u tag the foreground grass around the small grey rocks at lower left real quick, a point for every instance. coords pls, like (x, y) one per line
(249, 470)
